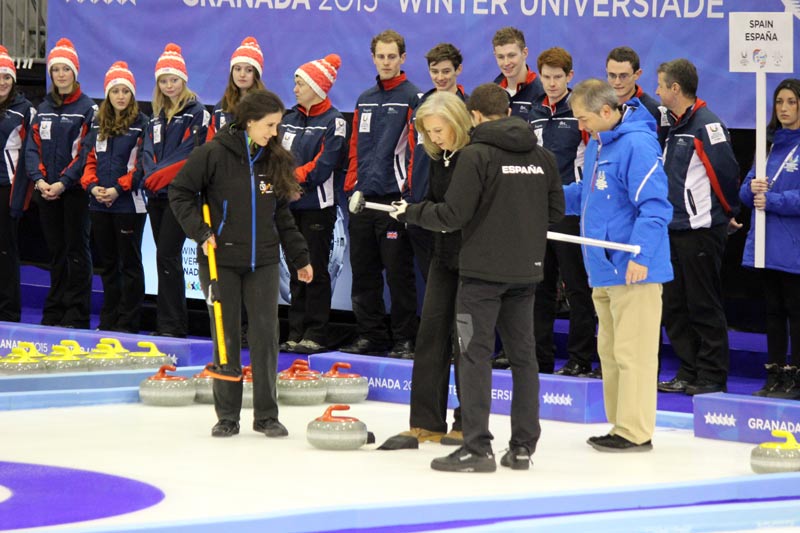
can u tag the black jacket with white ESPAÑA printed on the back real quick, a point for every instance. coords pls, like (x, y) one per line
(505, 192)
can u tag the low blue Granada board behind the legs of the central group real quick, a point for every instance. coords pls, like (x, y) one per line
(565, 399)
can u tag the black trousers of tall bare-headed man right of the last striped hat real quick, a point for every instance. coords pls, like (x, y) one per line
(379, 242)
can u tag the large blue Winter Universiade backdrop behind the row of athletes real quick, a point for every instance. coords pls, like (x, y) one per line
(292, 32)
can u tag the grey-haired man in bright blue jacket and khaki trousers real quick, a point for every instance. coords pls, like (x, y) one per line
(623, 198)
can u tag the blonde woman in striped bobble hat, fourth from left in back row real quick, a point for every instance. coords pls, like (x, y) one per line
(179, 124)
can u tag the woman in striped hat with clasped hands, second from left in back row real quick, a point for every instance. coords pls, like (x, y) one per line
(54, 161)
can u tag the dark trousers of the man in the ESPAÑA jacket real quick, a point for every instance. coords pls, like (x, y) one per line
(481, 306)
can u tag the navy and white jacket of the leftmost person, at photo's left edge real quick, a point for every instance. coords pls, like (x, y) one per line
(15, 126)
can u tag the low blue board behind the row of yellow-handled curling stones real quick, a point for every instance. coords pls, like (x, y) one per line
(184, 352)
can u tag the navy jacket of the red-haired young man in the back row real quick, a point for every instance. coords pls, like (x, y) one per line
(557, 130)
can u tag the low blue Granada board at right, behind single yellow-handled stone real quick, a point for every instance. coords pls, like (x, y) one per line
(744, 418)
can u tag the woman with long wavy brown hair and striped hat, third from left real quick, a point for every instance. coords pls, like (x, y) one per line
(116, 204)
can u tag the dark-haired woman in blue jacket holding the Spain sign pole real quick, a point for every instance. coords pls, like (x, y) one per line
(778, 194)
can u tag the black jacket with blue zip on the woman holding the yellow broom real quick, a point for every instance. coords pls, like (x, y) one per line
(220, 171)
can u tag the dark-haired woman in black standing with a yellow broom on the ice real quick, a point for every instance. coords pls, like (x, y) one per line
(247, 179)
